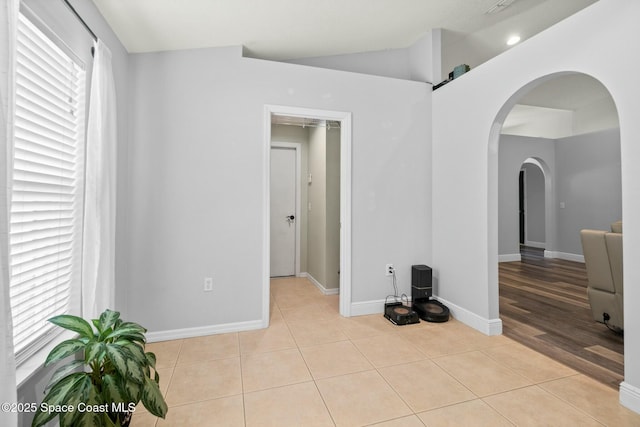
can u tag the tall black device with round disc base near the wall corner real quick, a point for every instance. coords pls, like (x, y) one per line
(427, 308)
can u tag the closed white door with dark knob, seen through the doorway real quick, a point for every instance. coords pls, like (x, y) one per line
(283, 211)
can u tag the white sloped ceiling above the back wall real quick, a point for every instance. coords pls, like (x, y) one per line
(290, 29)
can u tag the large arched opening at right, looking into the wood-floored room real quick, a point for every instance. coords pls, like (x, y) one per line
(566, 126)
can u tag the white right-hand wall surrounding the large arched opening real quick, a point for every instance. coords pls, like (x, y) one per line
(481, 100)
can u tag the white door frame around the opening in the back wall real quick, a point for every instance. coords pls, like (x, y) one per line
(345, 200)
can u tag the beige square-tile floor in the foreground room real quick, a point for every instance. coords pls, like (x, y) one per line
(312, 367)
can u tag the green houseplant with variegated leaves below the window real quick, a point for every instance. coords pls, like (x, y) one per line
(110, 374)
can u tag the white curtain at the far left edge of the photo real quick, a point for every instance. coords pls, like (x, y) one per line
(8, 31)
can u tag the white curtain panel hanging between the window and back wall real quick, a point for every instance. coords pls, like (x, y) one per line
(98, 270)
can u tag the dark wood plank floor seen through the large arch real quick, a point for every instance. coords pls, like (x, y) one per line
(544, 305)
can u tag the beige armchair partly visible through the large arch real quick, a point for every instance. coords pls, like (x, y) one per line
(603, 259)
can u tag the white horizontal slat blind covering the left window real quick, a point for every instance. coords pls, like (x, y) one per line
(46, 205)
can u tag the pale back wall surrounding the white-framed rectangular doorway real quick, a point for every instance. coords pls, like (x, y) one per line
(196, 199)
